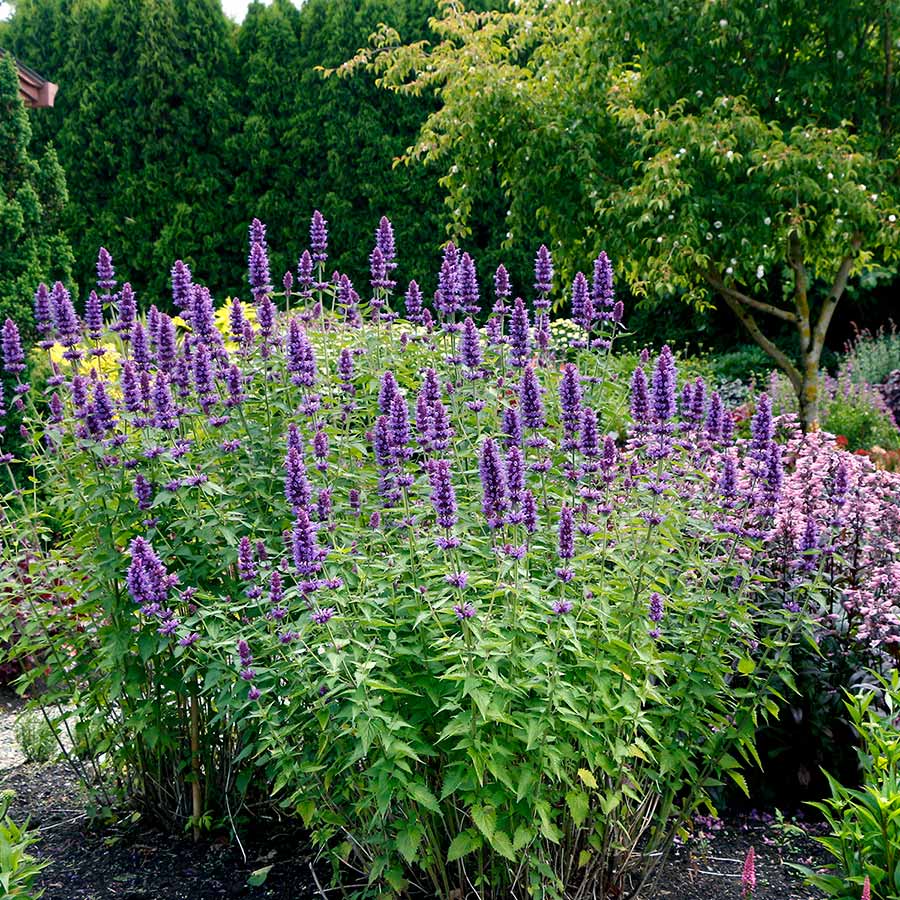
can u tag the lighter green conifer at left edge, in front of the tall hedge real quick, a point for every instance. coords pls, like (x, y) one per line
(32, 198)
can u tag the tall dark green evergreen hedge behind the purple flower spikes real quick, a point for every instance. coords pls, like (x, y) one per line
(175, 126)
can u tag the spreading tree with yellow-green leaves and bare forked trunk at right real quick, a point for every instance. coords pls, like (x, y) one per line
(746, 151)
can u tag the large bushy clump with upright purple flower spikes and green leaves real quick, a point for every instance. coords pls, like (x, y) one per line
(394, 572)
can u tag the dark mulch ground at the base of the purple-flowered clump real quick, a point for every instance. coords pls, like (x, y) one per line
(138, 862)
